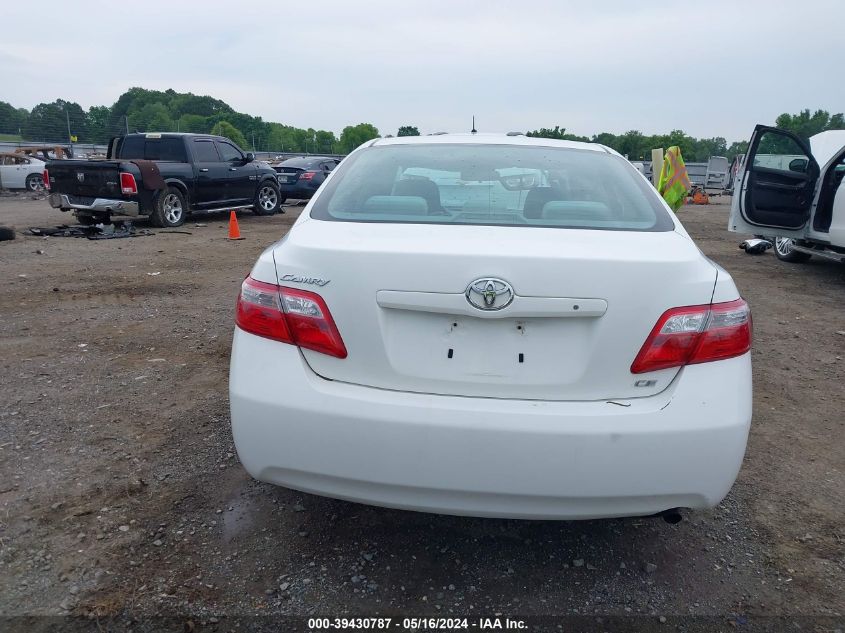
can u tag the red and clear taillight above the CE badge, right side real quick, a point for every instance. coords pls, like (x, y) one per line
(696, 334)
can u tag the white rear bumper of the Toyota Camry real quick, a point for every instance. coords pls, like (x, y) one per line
(489, 457)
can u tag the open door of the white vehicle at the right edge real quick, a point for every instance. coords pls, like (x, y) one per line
(774, 193)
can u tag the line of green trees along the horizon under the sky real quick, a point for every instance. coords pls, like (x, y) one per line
(143, 110)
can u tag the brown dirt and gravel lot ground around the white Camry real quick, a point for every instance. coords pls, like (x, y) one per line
(121, 495)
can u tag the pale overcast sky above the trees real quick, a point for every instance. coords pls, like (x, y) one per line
(709, 68)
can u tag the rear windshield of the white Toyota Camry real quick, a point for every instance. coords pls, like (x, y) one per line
(505, 185)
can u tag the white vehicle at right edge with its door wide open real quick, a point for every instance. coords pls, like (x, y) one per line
(793, 191)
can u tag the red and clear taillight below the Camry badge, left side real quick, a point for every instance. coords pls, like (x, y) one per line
(288, 315)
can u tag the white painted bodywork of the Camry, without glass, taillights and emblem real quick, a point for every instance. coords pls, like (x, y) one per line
(567, 434)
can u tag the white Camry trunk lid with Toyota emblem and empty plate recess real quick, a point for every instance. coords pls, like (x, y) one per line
(585, 301)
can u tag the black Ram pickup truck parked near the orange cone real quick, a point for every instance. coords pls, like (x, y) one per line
(165, 177)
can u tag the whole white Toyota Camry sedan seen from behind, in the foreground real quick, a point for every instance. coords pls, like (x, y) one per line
(492, 326)
